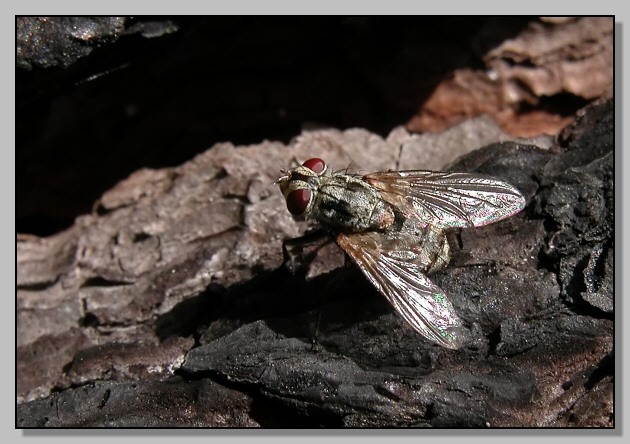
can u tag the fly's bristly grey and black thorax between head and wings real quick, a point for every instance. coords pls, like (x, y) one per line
(347, 203)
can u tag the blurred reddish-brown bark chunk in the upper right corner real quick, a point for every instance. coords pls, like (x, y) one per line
(529, 81)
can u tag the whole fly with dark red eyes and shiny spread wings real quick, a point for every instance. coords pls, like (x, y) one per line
(392, 224)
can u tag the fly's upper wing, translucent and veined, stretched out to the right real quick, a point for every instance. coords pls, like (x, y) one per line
(448, 200)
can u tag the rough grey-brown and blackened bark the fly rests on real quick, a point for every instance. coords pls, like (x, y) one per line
(180, 271)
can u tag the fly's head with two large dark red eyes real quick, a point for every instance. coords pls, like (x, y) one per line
(300, 185)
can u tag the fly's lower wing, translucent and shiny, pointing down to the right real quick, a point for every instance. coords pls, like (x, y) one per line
(397, 275)
